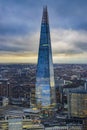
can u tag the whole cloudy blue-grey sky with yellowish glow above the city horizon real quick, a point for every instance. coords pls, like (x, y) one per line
(20, 22)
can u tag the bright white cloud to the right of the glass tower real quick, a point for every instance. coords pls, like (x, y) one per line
(68, 41)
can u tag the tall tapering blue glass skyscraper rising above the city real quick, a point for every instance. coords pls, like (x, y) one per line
(45, 86)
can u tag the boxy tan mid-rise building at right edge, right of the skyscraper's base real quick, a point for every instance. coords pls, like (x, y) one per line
(77, 103)
